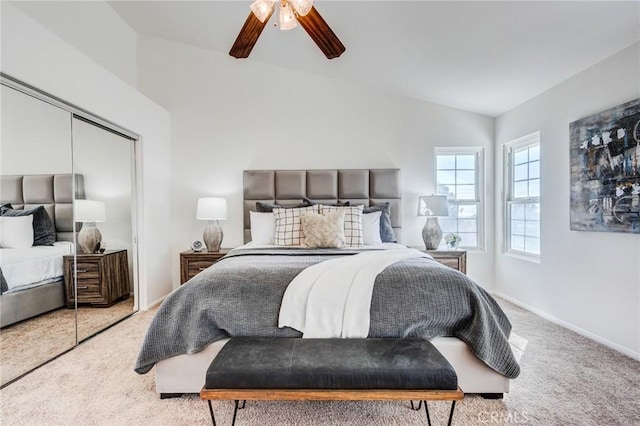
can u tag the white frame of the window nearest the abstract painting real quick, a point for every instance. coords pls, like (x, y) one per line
(530, 140)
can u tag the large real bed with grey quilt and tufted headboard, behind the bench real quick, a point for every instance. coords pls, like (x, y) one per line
(241, 294)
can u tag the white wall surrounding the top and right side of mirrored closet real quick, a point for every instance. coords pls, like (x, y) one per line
(38, 57)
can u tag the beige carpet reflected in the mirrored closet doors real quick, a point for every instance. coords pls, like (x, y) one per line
(30, 343)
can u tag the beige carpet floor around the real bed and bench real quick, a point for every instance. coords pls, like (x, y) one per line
(566, 380)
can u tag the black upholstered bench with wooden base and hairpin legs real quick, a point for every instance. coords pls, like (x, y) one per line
(330, 369)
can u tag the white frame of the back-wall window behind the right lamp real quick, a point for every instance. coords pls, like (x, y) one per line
(479, 201)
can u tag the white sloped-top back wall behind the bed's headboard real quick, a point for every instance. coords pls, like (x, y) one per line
(229, 115)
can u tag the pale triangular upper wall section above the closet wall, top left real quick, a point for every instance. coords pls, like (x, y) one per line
(92, 27)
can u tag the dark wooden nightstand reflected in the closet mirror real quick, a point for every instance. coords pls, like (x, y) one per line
(102, 278)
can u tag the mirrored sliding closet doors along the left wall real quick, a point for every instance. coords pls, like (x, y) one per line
(56, 161)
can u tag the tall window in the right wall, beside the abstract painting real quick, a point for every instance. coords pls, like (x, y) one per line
(523, 196)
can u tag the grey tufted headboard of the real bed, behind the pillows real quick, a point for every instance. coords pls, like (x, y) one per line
(358, 186)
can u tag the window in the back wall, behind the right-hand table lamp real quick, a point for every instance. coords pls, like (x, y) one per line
(459, 176)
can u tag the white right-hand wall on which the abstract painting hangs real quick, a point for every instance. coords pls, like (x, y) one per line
(588, 281)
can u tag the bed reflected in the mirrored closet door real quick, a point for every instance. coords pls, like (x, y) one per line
(32, 277)
